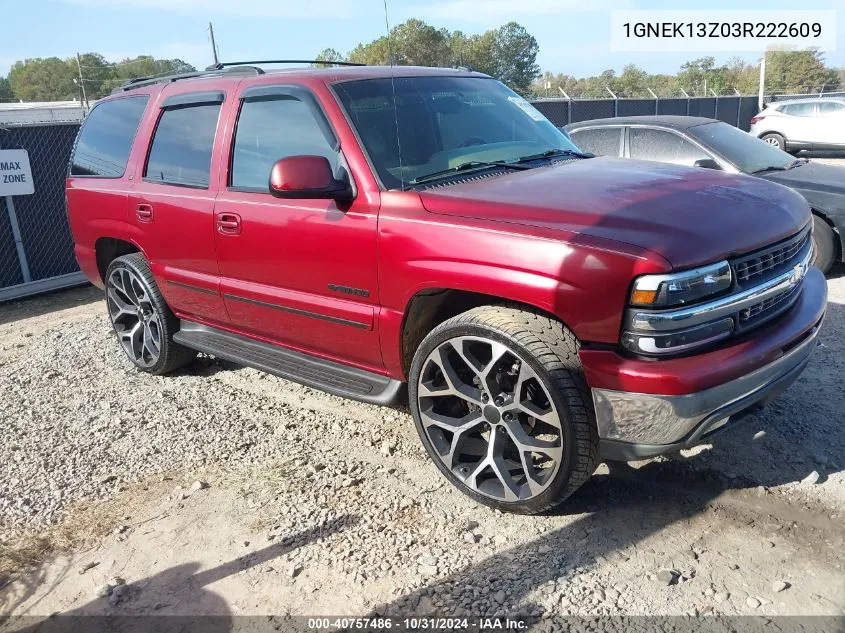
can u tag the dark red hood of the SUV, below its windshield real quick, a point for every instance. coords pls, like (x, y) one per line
(689, 216)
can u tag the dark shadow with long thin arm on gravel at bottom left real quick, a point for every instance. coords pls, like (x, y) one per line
(180, 593)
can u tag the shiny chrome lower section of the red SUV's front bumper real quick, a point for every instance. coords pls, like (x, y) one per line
(639, 425)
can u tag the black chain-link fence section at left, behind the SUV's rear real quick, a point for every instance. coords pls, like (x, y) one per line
(38, 221)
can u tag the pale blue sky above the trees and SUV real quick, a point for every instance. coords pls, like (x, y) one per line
(574, 35)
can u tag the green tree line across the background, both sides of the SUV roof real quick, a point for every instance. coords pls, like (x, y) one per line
(508, 53)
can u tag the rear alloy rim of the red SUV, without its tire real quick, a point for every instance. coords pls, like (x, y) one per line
(133, 316)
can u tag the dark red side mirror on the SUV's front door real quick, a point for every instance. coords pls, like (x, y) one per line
(307, 177)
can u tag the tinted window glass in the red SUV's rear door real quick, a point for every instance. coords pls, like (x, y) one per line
(181, 149)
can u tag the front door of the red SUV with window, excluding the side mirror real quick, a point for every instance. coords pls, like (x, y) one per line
(300, 272)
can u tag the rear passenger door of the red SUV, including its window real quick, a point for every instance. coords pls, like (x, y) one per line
(172, 201)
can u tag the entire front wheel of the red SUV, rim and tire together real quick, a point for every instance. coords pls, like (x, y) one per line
(502, 407)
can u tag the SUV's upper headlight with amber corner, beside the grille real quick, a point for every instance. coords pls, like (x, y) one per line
(663, 291)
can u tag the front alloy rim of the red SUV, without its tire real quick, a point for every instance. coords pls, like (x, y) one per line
(490, 419)
